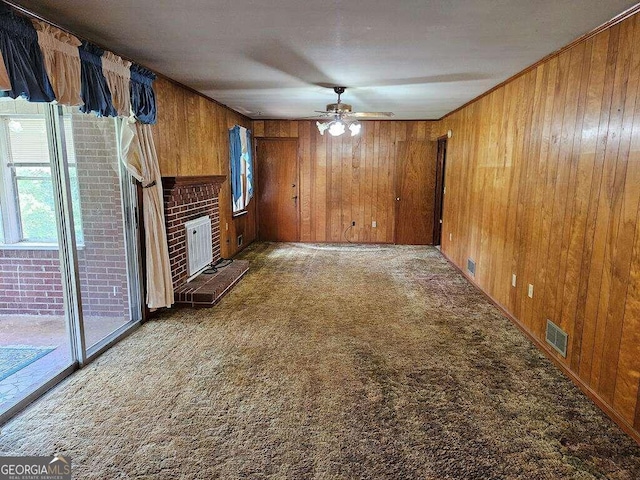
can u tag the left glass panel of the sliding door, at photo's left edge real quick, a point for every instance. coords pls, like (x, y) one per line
(35, 343)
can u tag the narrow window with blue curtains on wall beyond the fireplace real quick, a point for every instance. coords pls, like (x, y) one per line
(240, 157)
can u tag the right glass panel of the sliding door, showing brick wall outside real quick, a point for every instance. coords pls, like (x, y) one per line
(100, 210)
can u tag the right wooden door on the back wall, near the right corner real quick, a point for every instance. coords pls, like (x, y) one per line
(415, 184)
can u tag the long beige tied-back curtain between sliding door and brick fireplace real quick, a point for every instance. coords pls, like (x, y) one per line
(139, 157)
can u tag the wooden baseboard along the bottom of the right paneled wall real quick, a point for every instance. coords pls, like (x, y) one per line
(586, 389)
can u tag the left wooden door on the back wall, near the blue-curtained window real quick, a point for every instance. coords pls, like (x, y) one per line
(278, 212)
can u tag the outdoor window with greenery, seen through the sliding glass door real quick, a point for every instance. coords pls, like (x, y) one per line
(27, 199)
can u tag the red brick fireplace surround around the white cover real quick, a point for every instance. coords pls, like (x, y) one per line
(182, 203)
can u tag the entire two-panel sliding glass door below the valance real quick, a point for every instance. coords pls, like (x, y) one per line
(68, 257)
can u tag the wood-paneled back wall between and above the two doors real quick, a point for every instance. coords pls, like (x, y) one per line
(345, 179)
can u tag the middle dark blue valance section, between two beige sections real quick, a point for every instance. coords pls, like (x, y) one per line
(95, 92)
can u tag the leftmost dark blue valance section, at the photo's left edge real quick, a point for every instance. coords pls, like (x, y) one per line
(23, 58)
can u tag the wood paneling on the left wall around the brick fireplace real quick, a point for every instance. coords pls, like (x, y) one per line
(191, 138)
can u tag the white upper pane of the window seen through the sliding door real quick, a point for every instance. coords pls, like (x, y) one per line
(28, 139)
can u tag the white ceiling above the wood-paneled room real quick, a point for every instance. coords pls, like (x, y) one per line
(274, 59)
